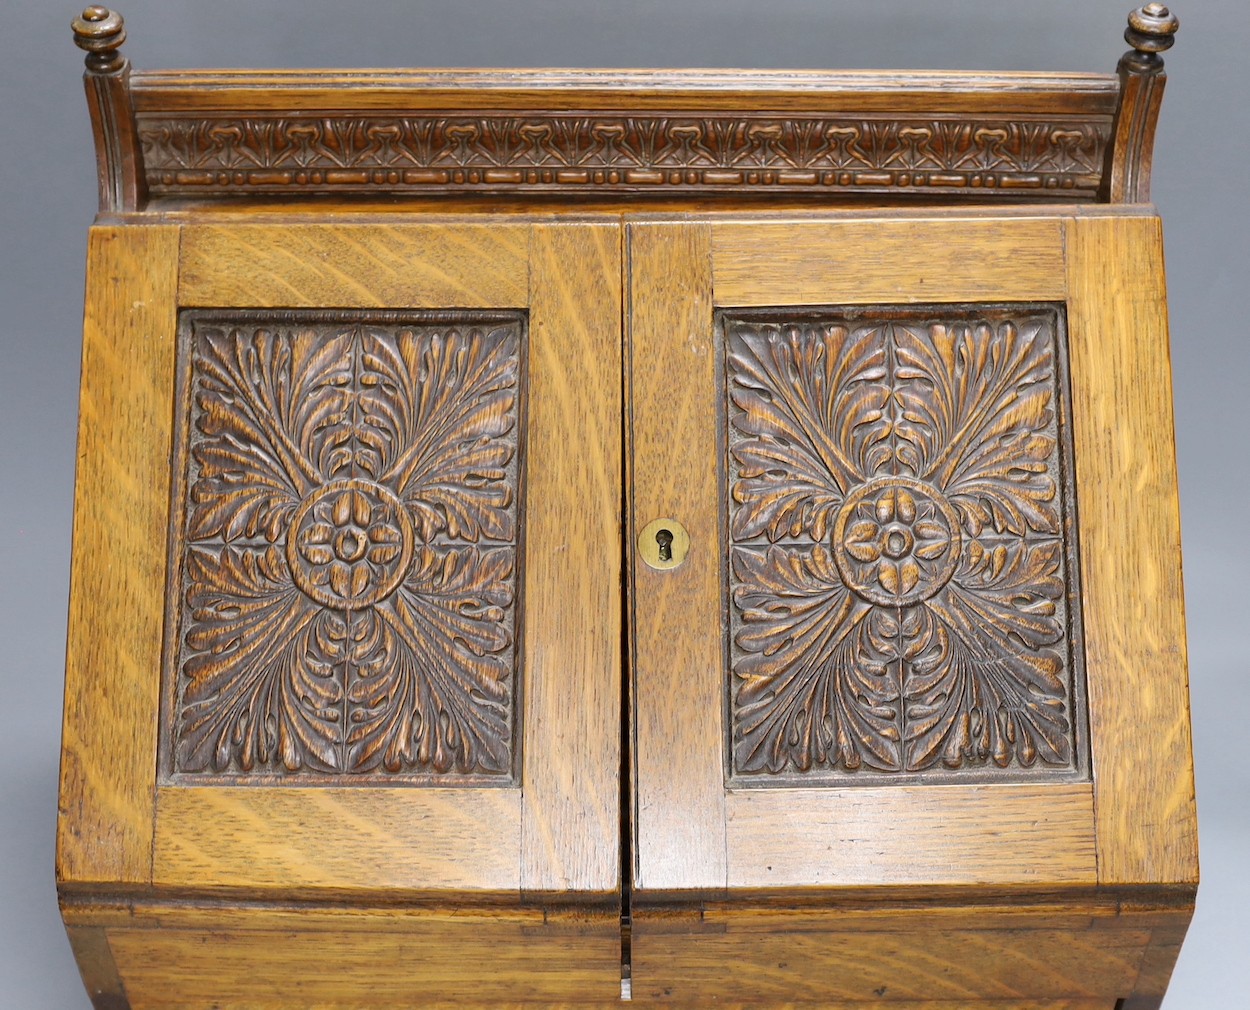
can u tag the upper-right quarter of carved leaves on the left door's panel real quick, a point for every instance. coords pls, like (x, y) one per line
(437, 407)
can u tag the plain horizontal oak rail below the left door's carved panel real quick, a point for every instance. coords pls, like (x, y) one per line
(366, 838)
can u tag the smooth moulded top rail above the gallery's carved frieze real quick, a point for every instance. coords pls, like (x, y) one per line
(216, 91)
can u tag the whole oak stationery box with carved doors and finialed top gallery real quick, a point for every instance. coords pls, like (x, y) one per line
(553, 538)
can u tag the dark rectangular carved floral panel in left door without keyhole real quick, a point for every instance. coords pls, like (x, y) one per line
(346, 557)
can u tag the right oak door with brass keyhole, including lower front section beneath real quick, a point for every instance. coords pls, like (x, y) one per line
(912, 629)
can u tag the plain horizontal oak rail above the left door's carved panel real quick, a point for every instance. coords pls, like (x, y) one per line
(313, 267)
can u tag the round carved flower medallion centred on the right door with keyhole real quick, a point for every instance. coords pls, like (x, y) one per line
(897, 541)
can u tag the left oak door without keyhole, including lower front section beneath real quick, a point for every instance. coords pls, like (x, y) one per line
(346, 608)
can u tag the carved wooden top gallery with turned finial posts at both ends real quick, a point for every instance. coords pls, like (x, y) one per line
(946, 137)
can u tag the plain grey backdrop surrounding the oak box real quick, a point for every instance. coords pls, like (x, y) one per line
(48, 201)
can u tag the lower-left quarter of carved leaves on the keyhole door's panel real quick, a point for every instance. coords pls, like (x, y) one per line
(819, 684)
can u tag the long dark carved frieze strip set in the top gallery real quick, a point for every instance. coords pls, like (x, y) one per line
(266, 153)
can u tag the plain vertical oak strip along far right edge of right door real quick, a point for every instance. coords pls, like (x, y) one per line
(1131, 554)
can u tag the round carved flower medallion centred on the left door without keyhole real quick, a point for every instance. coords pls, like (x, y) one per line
(351, 544)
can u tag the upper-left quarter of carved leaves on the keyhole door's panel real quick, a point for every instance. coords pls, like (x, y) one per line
(812, 403)
